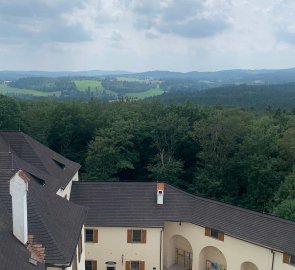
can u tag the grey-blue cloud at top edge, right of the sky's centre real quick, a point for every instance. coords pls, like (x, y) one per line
(189, 19)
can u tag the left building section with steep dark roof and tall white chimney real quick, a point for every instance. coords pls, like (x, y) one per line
(39, 227)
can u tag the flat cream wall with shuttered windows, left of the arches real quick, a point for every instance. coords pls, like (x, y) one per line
(112, 246)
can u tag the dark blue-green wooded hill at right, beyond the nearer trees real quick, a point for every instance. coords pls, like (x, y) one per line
(259, 97)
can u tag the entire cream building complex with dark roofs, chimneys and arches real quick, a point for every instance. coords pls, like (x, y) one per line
(128, 226)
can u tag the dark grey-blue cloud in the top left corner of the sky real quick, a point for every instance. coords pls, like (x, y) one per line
(40, 21)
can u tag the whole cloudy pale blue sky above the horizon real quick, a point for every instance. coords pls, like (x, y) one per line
(141, 35)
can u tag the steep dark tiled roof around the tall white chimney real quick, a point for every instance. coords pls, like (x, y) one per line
(53, 221)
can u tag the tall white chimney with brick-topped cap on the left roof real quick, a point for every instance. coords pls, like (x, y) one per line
(18, 192)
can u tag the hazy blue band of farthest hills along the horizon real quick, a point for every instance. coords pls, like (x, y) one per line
(209, 79)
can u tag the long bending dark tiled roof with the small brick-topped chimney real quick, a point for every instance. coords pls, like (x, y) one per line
(134, 205)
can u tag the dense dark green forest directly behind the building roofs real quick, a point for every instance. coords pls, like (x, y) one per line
(232, 155)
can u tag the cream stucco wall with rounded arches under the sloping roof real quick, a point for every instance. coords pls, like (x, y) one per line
(234, 250)
